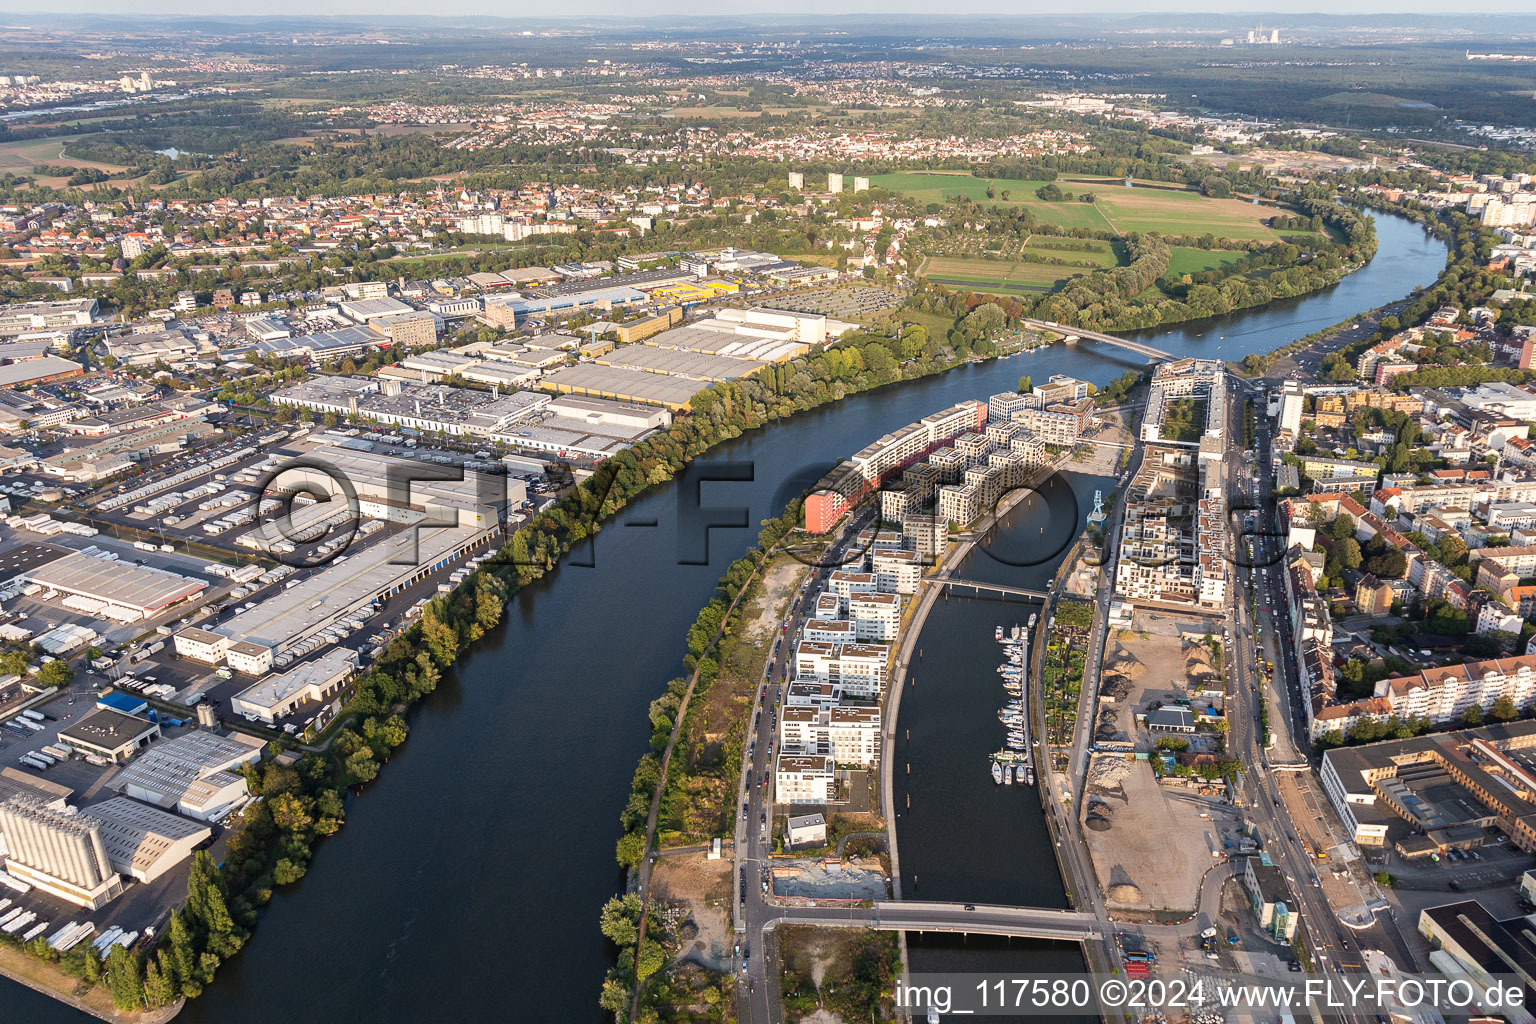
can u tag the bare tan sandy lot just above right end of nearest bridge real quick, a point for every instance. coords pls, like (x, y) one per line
(1150, 845)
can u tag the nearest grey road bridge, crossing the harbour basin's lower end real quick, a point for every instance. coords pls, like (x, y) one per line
(904, 916)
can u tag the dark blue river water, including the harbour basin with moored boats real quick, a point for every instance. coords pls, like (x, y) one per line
(468, 880)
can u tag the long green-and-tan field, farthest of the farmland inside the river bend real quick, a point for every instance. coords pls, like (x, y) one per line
(1119, 210)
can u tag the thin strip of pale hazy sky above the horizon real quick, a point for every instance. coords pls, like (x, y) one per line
(578, 8)
